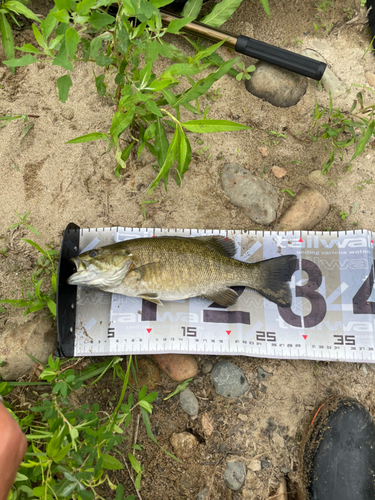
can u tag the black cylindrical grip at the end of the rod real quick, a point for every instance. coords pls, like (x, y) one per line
(280, 57)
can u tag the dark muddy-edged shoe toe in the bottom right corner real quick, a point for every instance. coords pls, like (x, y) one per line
(339, 454)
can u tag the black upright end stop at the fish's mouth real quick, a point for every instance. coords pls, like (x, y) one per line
(66, 295)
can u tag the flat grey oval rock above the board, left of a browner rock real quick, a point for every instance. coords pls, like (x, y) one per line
(256, 198)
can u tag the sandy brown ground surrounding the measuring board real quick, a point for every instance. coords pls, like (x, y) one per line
(61, 183)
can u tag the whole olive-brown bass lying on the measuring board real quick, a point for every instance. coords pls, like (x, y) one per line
(171, 268)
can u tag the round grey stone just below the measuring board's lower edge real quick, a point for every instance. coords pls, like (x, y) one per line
(229, 380)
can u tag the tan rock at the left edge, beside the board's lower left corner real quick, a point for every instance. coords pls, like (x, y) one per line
(36, 337)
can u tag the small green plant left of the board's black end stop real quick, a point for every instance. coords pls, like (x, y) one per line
(35, 298)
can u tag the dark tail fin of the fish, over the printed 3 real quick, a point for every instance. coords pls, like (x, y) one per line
(275, 275)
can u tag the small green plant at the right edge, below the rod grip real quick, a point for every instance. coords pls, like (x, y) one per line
(340, 129)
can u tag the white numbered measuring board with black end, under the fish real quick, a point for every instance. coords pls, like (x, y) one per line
(332, 316)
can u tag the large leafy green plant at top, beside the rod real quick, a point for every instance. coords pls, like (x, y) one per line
(125, 53)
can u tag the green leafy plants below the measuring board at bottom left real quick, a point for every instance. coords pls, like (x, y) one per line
(71, 450)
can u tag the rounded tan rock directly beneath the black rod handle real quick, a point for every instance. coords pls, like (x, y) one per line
(278, 86)
